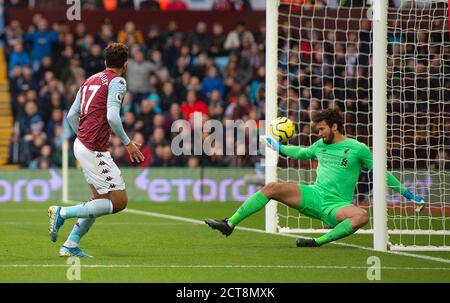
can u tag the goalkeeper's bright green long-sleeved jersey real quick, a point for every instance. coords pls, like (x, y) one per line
(339, 165)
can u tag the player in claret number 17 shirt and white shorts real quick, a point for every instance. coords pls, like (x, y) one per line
(94, 113)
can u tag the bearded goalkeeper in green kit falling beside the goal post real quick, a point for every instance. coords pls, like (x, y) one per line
(329, 199)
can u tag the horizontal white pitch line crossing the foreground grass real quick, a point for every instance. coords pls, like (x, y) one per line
(221, 266)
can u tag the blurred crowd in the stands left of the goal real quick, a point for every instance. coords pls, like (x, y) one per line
(170, 76)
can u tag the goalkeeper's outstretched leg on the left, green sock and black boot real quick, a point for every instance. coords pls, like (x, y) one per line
(287, 193)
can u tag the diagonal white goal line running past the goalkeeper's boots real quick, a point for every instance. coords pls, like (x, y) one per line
(194, 221)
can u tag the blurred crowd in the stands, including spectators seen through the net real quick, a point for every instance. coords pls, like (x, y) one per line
(173, 74)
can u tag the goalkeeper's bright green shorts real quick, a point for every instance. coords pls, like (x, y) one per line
(316, 203)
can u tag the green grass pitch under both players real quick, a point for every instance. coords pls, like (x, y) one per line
(138, 247)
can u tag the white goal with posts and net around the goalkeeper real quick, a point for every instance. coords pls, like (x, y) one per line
(403, 115)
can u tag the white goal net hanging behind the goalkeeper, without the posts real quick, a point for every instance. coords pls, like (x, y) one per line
(325, 60)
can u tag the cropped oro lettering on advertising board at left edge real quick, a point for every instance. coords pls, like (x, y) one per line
(34, 190)
